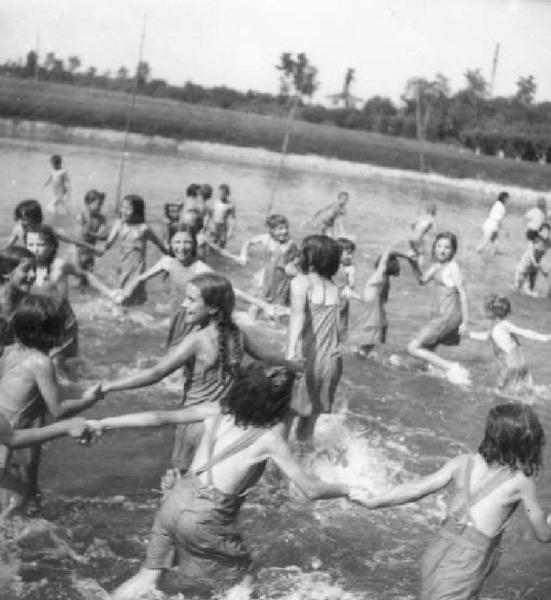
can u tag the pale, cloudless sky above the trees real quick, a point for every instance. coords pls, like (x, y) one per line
(238, 42)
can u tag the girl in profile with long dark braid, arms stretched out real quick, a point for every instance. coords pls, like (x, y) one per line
(210, 355)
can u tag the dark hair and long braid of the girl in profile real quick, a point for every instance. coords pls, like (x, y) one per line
(217, 293)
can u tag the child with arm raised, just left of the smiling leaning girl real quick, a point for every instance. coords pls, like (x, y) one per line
(375, 295)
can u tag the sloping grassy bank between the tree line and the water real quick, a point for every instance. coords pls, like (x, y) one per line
(75, 106)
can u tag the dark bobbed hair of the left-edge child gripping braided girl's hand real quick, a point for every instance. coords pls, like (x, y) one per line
(37, 323)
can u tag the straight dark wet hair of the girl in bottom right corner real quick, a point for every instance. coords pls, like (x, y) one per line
(514, 438)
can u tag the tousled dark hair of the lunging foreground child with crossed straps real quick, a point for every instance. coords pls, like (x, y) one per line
(260, 396)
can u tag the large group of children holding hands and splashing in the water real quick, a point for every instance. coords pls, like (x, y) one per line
(234, 418)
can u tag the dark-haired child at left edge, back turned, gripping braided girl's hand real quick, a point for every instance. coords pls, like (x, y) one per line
(29, 389)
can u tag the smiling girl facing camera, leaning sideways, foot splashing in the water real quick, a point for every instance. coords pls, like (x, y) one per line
(450, 314)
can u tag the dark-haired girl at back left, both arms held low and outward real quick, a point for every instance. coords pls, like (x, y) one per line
(133, 234)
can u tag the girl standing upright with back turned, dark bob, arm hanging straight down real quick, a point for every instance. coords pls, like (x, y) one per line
(314, 330)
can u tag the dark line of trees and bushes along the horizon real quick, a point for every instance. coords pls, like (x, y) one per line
(513, 127)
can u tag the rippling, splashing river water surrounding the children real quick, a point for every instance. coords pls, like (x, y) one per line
(100, 501)
